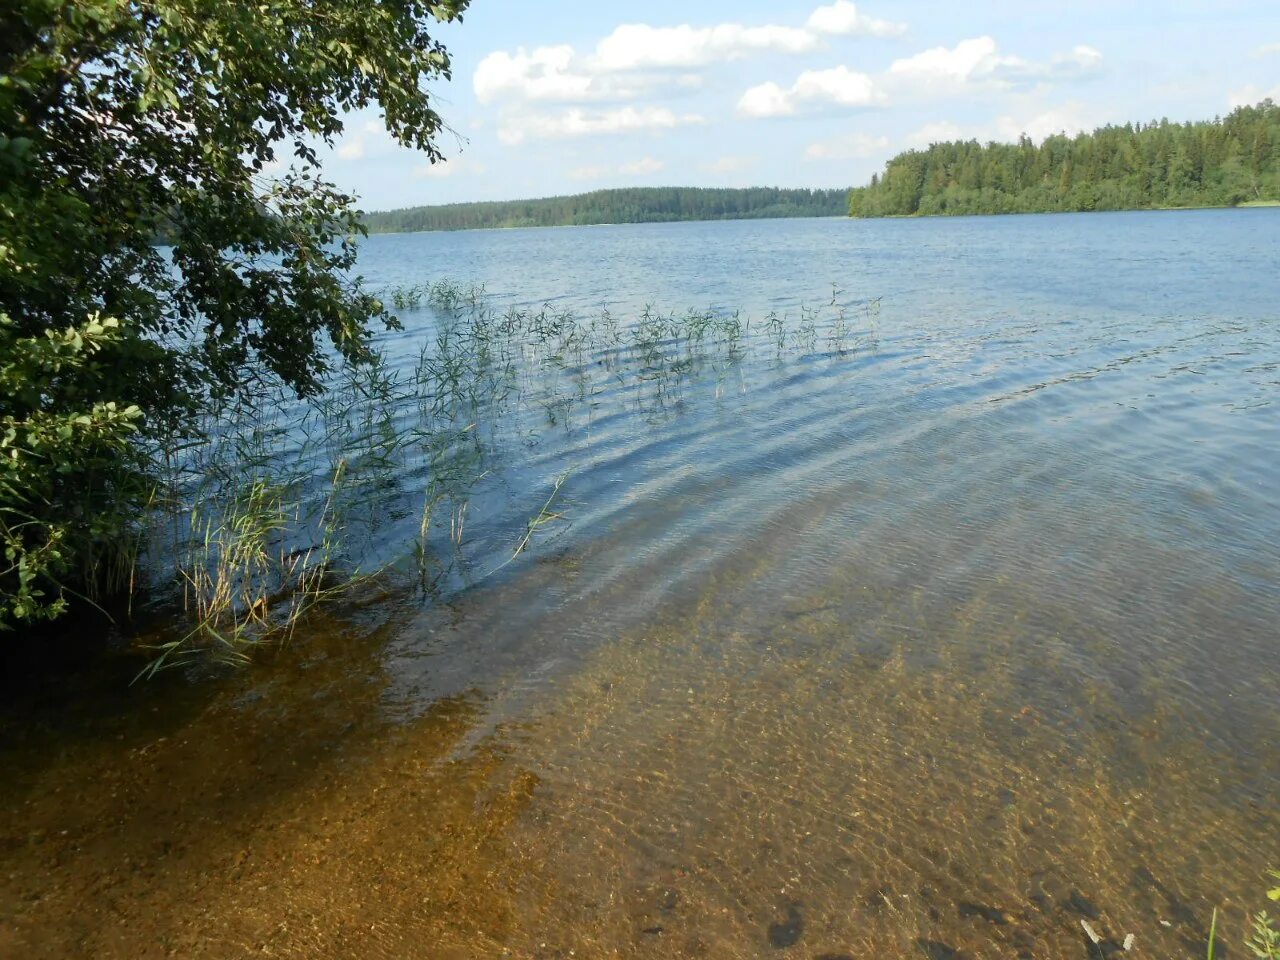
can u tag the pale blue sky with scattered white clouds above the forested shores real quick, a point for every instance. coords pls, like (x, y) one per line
(561, 97)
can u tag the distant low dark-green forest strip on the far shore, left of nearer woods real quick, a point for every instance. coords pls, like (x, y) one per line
(628, 205)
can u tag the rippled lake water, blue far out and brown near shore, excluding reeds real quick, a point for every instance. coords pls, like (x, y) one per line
(929, 620)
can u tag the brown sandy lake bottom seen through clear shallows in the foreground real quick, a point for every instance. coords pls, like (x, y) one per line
(853, 771)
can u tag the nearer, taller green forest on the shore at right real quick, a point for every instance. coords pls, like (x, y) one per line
(1226, 162)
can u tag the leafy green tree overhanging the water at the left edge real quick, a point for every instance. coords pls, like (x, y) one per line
(124, 120)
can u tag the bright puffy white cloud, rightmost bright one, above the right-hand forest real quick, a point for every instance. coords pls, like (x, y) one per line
(979, 61)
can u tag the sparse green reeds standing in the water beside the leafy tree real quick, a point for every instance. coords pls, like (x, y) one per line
(280, 506)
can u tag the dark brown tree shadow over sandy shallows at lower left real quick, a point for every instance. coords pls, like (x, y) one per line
(134, 815)
